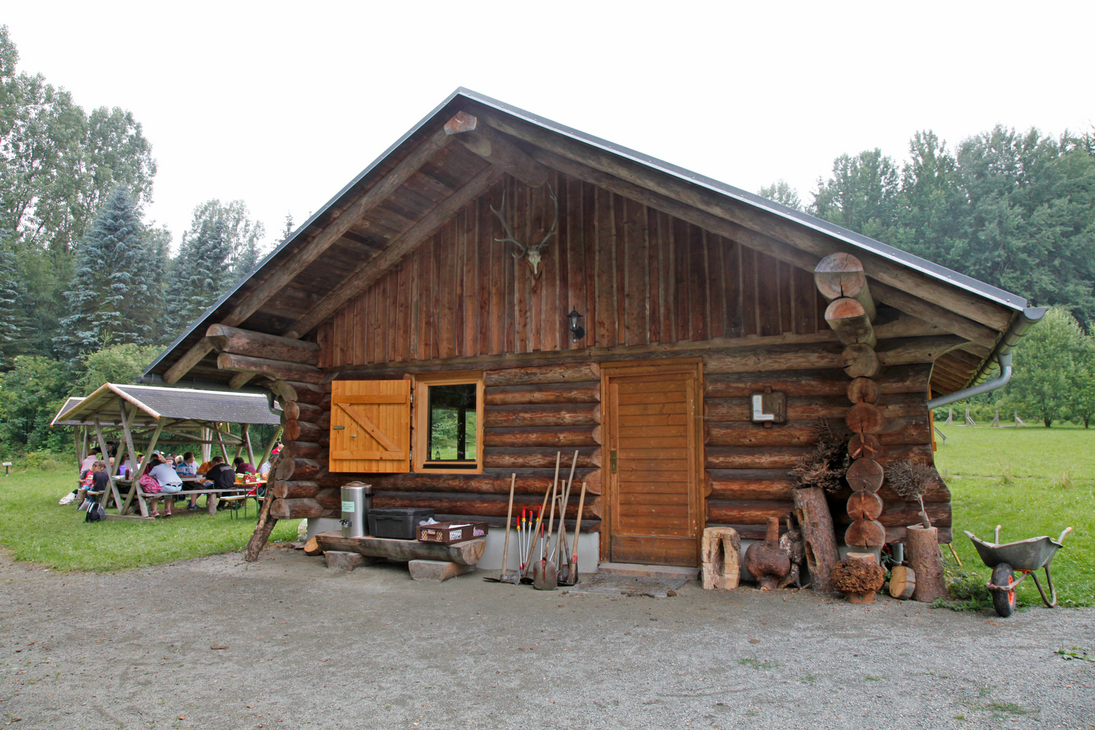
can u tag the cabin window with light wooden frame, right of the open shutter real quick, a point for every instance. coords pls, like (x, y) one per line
(449, 423)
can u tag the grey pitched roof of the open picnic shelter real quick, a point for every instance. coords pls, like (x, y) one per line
(155, 404)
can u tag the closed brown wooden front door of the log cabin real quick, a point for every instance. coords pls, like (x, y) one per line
(653, 471)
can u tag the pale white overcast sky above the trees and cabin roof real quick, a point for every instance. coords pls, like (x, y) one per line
(281, 105)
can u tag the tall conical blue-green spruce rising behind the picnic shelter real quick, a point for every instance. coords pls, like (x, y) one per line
(110, 298)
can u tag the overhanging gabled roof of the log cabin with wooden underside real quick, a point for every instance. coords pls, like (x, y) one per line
(414, 187)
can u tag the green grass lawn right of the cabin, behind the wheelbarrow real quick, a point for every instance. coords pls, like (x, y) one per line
(1034, 482)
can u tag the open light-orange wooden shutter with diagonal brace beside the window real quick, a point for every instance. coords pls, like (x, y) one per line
(371, 426)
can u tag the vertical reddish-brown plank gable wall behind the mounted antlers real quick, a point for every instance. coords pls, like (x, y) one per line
(637, 275)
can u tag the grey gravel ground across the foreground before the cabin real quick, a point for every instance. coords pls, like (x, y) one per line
(217, 643)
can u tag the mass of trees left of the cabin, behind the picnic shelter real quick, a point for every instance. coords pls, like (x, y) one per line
(89, 292)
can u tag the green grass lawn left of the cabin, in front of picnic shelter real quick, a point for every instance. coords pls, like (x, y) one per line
(34, 528)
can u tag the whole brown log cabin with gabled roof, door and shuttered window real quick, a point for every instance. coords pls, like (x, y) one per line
(498, 288)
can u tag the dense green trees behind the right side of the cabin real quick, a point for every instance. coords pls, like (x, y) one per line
(1012, 210)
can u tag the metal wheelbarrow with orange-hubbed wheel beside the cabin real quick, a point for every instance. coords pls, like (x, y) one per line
(1025, 557)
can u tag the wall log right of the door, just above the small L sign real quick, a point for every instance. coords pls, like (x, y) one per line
(902, 379)
